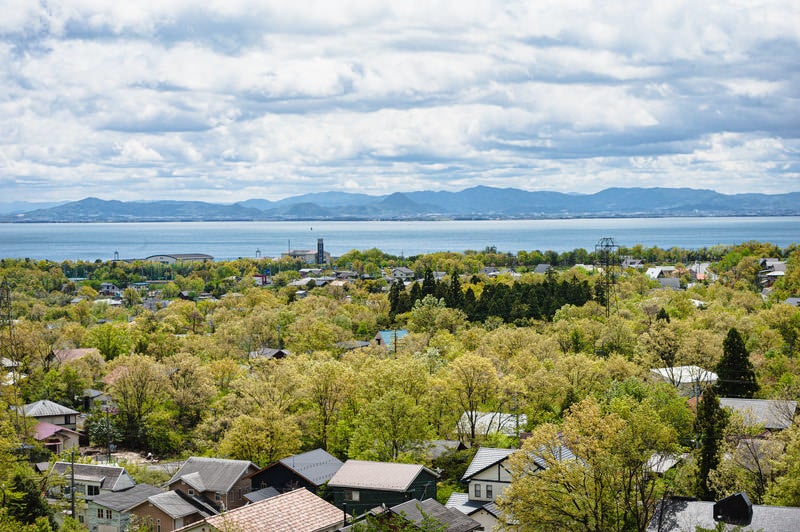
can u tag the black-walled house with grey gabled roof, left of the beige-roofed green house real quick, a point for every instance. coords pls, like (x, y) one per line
(307, 470)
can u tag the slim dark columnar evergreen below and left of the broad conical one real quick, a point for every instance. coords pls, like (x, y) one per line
(709, 426)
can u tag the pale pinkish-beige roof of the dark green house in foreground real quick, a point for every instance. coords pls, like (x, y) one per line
(384, 476)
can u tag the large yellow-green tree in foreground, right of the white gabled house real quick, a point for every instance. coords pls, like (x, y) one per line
(591, 472)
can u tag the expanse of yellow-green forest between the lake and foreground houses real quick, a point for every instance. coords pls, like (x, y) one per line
(572, 349)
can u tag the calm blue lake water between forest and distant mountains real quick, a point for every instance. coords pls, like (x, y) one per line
(229, 240)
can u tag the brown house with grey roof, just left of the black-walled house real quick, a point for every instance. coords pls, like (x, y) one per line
(222, 481)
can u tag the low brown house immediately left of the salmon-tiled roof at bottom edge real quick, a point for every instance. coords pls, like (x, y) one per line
(171, 510)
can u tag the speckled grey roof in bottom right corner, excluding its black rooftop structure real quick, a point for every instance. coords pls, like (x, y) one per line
(679, 515)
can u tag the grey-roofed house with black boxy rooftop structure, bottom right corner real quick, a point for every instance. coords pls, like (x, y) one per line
(679, 514)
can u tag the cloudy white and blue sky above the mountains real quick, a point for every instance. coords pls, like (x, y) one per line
(226, 100)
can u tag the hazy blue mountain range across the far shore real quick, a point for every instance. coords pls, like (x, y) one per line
(472, 203)
